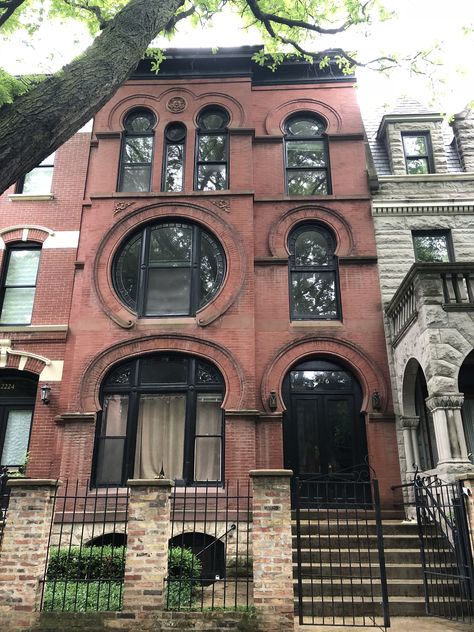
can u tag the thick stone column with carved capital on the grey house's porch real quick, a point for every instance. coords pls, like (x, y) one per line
(450, 440)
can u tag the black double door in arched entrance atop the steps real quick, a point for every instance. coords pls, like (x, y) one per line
(324, 430)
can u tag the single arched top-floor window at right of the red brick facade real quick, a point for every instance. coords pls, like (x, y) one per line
(306, 152)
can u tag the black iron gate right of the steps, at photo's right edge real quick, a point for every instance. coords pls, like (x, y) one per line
(446, 555)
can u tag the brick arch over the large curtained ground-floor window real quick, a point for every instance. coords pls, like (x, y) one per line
(94, 374)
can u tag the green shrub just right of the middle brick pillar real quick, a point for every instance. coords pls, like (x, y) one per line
(184, 573)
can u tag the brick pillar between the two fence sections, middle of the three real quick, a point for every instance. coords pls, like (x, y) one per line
(147, 544)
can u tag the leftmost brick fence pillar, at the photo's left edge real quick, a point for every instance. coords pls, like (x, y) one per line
(24, 550)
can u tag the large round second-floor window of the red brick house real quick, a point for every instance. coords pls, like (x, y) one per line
(169, 269)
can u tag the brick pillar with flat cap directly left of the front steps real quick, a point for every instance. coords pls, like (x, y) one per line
(272, 550)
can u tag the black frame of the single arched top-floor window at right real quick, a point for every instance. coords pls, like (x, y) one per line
(291, 138)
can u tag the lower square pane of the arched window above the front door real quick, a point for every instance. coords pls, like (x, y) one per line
(313, 295)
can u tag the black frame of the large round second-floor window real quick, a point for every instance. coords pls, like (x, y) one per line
(195, 299)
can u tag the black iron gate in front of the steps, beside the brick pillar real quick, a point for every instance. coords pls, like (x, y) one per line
(341, 578)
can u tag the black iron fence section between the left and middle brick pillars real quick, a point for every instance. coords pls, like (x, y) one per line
(86, 553)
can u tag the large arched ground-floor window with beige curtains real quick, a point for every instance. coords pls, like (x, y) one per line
(161, 415)
